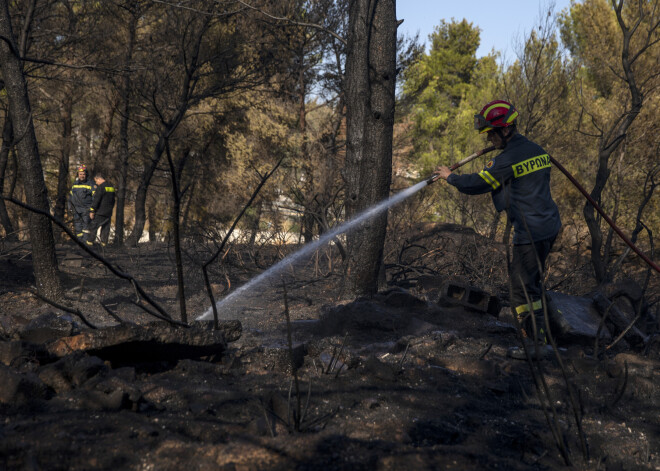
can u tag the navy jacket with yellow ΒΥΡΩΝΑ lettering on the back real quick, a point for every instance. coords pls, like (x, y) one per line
(519, 181)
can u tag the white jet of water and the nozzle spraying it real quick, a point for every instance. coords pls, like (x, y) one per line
(311, 247)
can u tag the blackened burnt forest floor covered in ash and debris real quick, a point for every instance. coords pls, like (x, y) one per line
(390, 383)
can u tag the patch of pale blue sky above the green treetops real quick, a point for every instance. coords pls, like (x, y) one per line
(502, 24)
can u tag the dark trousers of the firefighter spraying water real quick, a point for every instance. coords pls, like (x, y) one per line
(526, 274)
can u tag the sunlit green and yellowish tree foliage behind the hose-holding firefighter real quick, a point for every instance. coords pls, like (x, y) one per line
(567, 102)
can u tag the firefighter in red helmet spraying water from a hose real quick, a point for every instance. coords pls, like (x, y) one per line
(519, 182)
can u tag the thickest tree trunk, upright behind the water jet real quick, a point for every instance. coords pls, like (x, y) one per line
(370, 83)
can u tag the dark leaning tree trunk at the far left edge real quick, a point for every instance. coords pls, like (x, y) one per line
(44, 260)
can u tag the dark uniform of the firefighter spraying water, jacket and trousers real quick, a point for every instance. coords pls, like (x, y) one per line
(519, 182)
